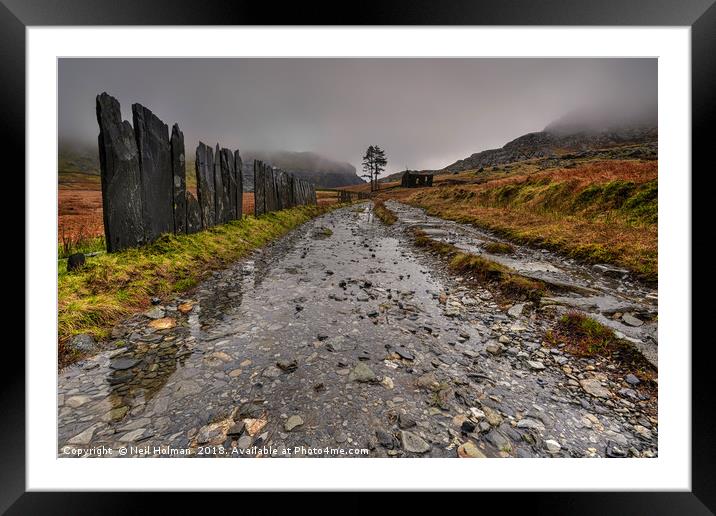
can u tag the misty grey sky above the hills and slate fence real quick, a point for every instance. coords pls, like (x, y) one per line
(425, 113)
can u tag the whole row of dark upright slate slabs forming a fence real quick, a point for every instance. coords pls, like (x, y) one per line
(143, 175)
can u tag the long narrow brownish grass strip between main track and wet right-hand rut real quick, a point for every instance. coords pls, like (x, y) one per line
(507, 280)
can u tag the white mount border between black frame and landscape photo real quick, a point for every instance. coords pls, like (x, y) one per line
(670, 471)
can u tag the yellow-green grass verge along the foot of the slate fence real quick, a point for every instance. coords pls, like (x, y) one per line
(112, 286)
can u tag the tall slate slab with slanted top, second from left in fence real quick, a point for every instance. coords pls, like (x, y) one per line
(155, 167)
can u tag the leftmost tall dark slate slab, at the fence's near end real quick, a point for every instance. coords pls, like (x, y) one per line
(120, 177)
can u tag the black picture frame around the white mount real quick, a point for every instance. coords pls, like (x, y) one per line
(700, 15)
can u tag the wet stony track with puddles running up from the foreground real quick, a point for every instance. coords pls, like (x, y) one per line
(343, 337)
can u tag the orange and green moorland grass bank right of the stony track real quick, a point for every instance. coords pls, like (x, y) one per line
(600, 212)
